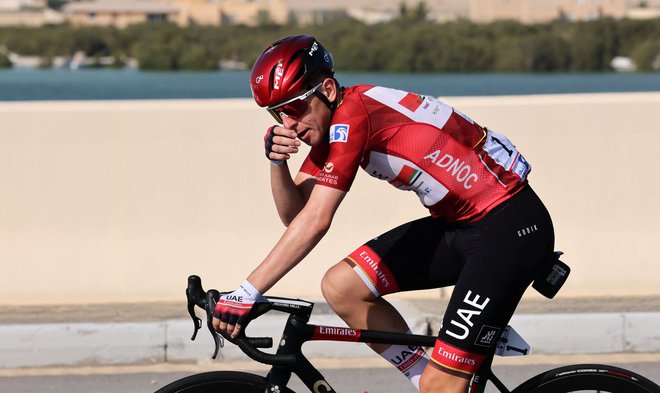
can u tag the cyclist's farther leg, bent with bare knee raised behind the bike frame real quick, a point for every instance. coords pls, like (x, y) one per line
(399, 260)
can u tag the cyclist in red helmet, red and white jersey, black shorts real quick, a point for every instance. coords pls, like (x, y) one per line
(487, 233)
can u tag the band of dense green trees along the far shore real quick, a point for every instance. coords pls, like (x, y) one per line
(409, 43)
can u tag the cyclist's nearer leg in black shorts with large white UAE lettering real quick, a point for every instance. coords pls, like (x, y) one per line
(502, 253)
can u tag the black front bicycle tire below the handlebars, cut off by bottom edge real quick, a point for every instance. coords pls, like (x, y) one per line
(219, 382)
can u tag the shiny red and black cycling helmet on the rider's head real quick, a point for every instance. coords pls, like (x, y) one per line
(287, 68)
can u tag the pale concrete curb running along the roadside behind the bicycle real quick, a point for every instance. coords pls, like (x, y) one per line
(95, 344)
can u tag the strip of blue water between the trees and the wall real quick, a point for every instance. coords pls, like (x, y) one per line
(109, 84)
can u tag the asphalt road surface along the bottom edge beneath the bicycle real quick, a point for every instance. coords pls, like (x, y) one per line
(352, 378)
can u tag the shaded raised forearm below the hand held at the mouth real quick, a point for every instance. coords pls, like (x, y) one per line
(288, 197)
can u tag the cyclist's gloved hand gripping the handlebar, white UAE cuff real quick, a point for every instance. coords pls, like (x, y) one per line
(232, 309)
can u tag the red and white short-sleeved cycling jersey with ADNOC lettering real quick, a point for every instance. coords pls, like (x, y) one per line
(458, 169)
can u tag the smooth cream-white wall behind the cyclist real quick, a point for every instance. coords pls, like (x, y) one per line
(120, 201)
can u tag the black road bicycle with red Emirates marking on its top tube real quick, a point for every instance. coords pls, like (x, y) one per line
(289, 359)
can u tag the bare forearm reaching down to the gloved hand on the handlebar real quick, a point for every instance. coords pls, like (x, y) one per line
(304, 233)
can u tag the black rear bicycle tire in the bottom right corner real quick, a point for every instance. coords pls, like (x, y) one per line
(588, 378)
